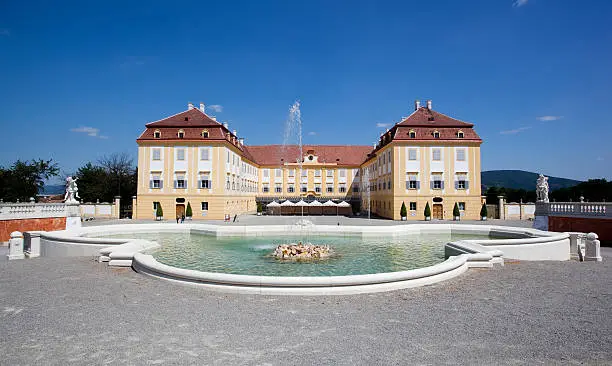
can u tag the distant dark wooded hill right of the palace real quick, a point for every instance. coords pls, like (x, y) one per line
(519, 179)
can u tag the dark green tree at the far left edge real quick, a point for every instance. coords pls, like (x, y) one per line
(24, 179)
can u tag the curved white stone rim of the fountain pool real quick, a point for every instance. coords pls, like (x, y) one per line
(527, 244)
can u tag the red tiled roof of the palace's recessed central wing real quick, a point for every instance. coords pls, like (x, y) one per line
(346, 154)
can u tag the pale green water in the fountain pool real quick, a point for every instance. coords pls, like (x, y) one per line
(353, 255)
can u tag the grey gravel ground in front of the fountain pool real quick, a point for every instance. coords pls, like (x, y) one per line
(59, 311)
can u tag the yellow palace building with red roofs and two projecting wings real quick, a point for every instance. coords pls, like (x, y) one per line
(427, 157)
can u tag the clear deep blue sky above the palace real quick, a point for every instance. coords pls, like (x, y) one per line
(78, 82)
